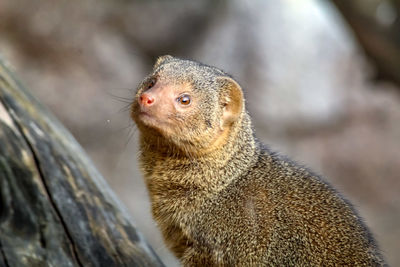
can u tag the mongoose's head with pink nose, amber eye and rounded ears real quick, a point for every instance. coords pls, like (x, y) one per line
(188, 104)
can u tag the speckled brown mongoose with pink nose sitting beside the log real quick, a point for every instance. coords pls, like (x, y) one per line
(222, 198)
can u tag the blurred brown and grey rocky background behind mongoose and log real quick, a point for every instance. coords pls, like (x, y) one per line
(322, 81)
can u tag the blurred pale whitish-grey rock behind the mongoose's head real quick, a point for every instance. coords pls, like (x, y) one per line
(291, 57)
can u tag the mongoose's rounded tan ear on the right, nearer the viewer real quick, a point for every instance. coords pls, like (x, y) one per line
(231, 95)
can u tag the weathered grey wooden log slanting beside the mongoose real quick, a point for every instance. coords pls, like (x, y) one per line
(55, 207)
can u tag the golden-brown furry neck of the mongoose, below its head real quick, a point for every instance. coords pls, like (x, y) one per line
(207, 172)
